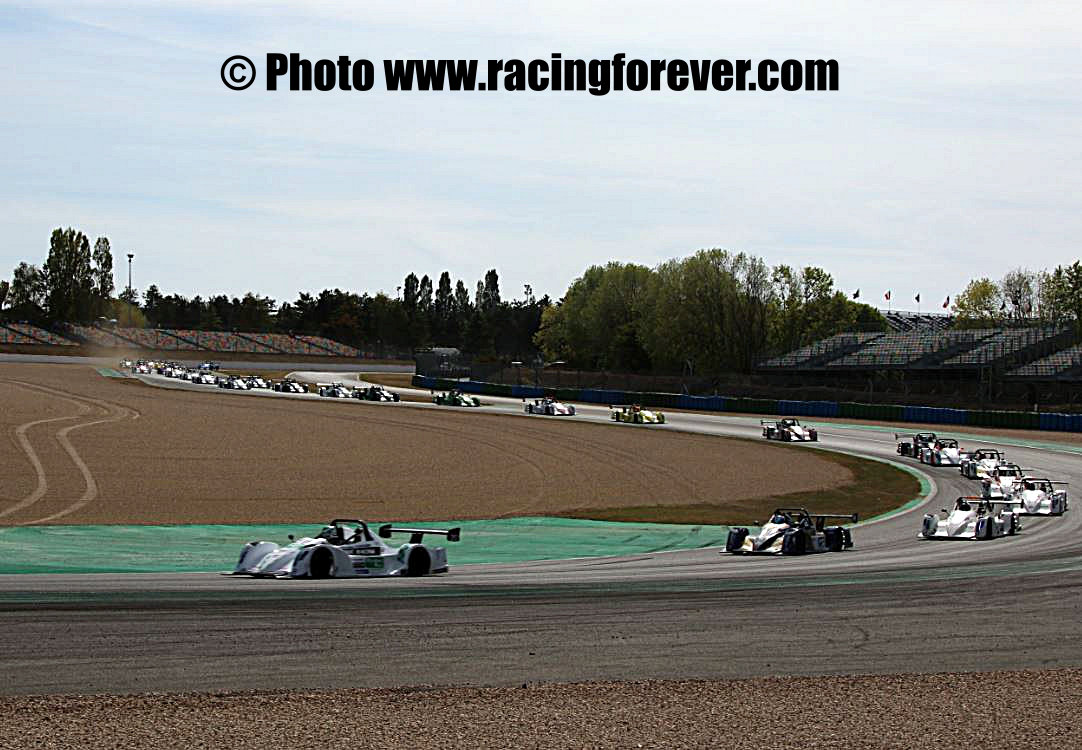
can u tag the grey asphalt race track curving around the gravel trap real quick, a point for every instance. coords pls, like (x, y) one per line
(892, 604)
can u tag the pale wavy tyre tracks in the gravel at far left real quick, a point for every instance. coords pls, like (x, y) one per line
(107, 414)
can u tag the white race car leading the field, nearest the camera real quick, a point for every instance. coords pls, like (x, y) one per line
(347, 549)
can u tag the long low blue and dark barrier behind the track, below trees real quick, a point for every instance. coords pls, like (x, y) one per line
(887, 413)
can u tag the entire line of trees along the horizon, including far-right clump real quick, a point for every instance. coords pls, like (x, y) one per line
(712, 312)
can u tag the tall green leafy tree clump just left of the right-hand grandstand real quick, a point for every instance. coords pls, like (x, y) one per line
(712, 312)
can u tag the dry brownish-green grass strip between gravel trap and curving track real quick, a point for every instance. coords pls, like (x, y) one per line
(877, 489)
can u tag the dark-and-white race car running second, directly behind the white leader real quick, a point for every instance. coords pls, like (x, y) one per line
(793, 532)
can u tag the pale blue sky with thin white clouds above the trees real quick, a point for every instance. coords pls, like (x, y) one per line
(952, 150)
